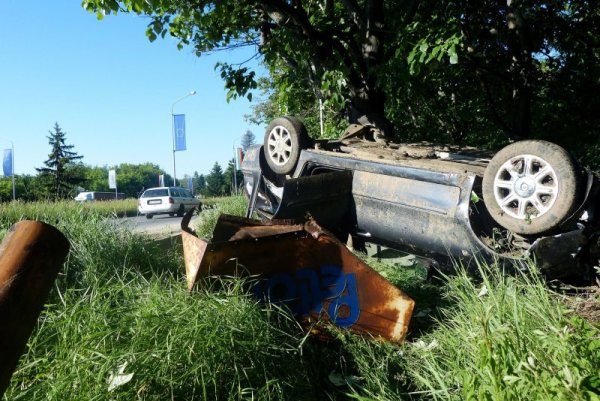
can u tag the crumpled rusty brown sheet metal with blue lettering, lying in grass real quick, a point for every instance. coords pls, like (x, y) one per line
(303, 266)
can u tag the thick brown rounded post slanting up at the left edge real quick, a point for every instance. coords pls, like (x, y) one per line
(31, 255)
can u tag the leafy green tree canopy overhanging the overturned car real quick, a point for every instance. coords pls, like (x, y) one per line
(419, 68)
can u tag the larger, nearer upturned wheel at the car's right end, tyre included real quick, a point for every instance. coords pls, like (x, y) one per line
(531, 187)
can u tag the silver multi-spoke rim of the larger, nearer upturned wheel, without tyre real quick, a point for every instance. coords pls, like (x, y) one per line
(526, 187)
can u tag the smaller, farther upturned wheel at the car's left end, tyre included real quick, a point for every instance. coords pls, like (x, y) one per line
(284, 139)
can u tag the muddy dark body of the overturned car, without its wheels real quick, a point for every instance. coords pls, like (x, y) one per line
(428, 207)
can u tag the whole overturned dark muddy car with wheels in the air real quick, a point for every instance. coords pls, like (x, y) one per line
(529, 200)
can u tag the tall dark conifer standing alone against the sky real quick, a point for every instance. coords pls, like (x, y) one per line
(62, 171)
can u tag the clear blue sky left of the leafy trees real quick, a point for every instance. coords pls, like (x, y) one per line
(110, 90)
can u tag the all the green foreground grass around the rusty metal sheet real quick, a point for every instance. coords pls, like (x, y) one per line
(121, 302)
